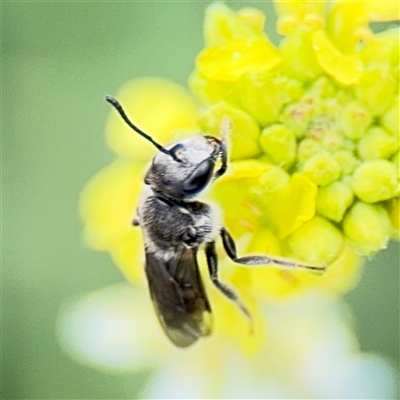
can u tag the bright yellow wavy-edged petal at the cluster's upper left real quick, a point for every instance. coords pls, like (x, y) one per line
(230, 61)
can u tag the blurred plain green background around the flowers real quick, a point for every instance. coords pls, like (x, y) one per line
(59, 59)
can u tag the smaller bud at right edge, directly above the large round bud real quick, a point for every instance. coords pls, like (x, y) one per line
(376, 144)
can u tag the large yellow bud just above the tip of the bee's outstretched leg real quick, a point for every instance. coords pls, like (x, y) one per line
(316, 241)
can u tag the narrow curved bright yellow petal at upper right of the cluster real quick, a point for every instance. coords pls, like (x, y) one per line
(345, 69)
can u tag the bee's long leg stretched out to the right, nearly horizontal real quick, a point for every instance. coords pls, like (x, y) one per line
(230, 248)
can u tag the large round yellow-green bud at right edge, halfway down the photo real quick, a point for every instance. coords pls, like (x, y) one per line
(375, 180)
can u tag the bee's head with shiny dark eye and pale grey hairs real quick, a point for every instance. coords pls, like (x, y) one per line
(190, 170)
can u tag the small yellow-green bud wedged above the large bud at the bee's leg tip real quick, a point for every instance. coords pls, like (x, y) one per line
(333, 200)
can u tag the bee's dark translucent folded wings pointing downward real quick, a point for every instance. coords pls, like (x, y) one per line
(179, 297)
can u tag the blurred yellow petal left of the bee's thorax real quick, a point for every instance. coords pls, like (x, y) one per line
(108, 206)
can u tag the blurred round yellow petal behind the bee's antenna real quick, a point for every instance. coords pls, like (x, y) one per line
(157, 106)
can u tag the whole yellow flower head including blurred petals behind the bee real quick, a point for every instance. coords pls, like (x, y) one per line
(313, 172)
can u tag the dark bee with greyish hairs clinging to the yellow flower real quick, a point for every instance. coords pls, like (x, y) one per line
(176, 226)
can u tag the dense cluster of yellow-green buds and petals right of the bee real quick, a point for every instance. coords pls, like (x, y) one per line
(315, 139)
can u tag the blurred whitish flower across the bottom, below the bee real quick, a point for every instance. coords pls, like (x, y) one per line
(311, 352)
